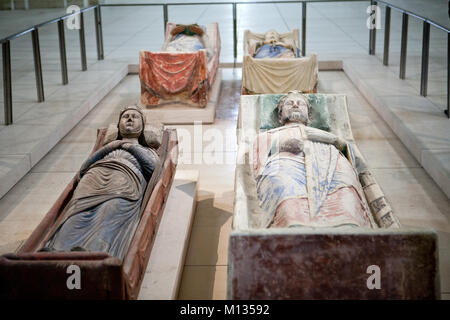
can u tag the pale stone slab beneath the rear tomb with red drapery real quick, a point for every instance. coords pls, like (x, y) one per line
(183, 114)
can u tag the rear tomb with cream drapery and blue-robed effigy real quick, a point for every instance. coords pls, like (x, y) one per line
(272, 64)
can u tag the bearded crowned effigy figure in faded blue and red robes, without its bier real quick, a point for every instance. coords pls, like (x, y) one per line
(302, 175)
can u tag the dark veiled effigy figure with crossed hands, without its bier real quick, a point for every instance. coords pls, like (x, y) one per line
(104, 211)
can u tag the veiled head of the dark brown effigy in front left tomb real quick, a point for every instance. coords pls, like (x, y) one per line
(131, 123)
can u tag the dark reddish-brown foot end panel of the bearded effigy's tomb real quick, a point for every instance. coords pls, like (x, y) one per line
(333, 264)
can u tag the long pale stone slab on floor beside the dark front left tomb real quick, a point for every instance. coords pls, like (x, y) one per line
(162, 277)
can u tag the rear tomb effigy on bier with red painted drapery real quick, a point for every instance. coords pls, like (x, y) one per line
(185, 70)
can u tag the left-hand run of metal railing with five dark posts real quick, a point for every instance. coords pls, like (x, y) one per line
(6, 54)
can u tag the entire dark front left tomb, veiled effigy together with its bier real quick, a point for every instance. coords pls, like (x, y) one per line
(104, 222)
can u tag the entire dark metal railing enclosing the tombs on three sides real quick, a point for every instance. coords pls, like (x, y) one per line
(100, 54)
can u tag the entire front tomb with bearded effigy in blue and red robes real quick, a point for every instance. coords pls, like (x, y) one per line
(310, 221)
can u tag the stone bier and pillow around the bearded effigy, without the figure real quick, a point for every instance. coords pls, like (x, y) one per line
(319, 262)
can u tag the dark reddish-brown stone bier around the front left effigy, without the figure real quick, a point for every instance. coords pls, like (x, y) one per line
(33, 274)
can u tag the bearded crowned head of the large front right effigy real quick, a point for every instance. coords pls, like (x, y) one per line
(294, 107)
